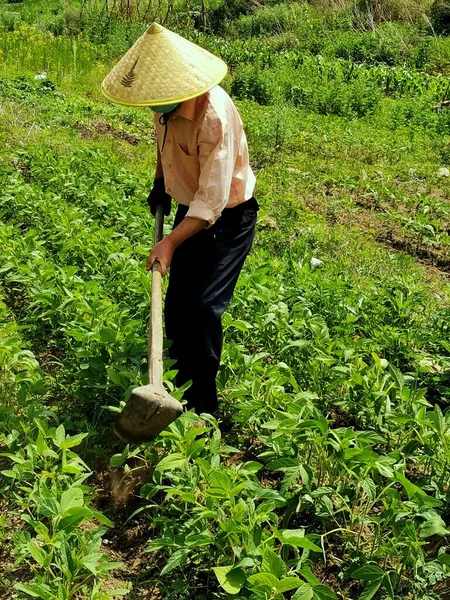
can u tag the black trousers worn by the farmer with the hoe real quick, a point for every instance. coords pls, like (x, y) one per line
(203, 275)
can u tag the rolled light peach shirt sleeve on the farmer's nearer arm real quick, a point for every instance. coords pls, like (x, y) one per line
(217, 149)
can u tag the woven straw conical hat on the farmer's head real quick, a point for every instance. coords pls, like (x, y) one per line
(162, 68)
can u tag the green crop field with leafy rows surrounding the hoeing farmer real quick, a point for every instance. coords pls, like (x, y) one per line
(326, 473)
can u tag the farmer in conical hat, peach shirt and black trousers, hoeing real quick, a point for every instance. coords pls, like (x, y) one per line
(203, 163)
